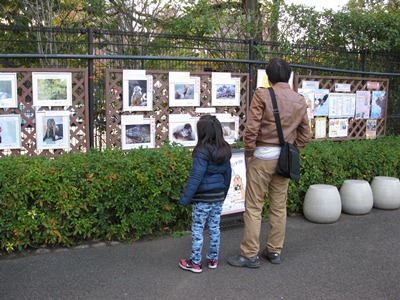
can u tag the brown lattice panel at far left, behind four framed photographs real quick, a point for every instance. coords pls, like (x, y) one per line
(79, 120)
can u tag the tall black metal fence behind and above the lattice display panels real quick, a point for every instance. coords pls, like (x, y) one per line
(99, 50)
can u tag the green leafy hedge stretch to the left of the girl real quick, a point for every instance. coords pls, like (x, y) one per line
(108, 195)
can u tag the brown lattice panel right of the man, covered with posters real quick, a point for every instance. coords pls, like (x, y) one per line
(357, 127)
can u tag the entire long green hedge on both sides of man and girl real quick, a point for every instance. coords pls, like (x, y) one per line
(114, 195)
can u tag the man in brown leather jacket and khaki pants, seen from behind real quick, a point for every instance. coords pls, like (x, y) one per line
(261, 145)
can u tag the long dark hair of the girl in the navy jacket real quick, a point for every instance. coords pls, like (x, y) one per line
(209, 131)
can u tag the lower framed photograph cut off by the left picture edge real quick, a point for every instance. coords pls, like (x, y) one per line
(10, 131)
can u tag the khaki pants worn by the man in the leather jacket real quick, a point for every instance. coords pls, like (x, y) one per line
(261, 178)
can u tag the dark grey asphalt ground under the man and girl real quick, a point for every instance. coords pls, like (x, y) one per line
(357, 257)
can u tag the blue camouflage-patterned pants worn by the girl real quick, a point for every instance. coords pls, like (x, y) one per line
(203, 212)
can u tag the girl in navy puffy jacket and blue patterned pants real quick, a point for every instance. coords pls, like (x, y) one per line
(206, 189)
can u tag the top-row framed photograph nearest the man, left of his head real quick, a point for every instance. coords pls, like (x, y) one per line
(225, 91)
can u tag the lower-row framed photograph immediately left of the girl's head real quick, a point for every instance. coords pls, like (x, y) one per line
(182, 129)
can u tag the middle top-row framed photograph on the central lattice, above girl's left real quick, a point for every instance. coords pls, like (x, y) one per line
(183, 89)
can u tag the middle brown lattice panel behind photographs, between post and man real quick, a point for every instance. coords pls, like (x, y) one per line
(161, 109)
